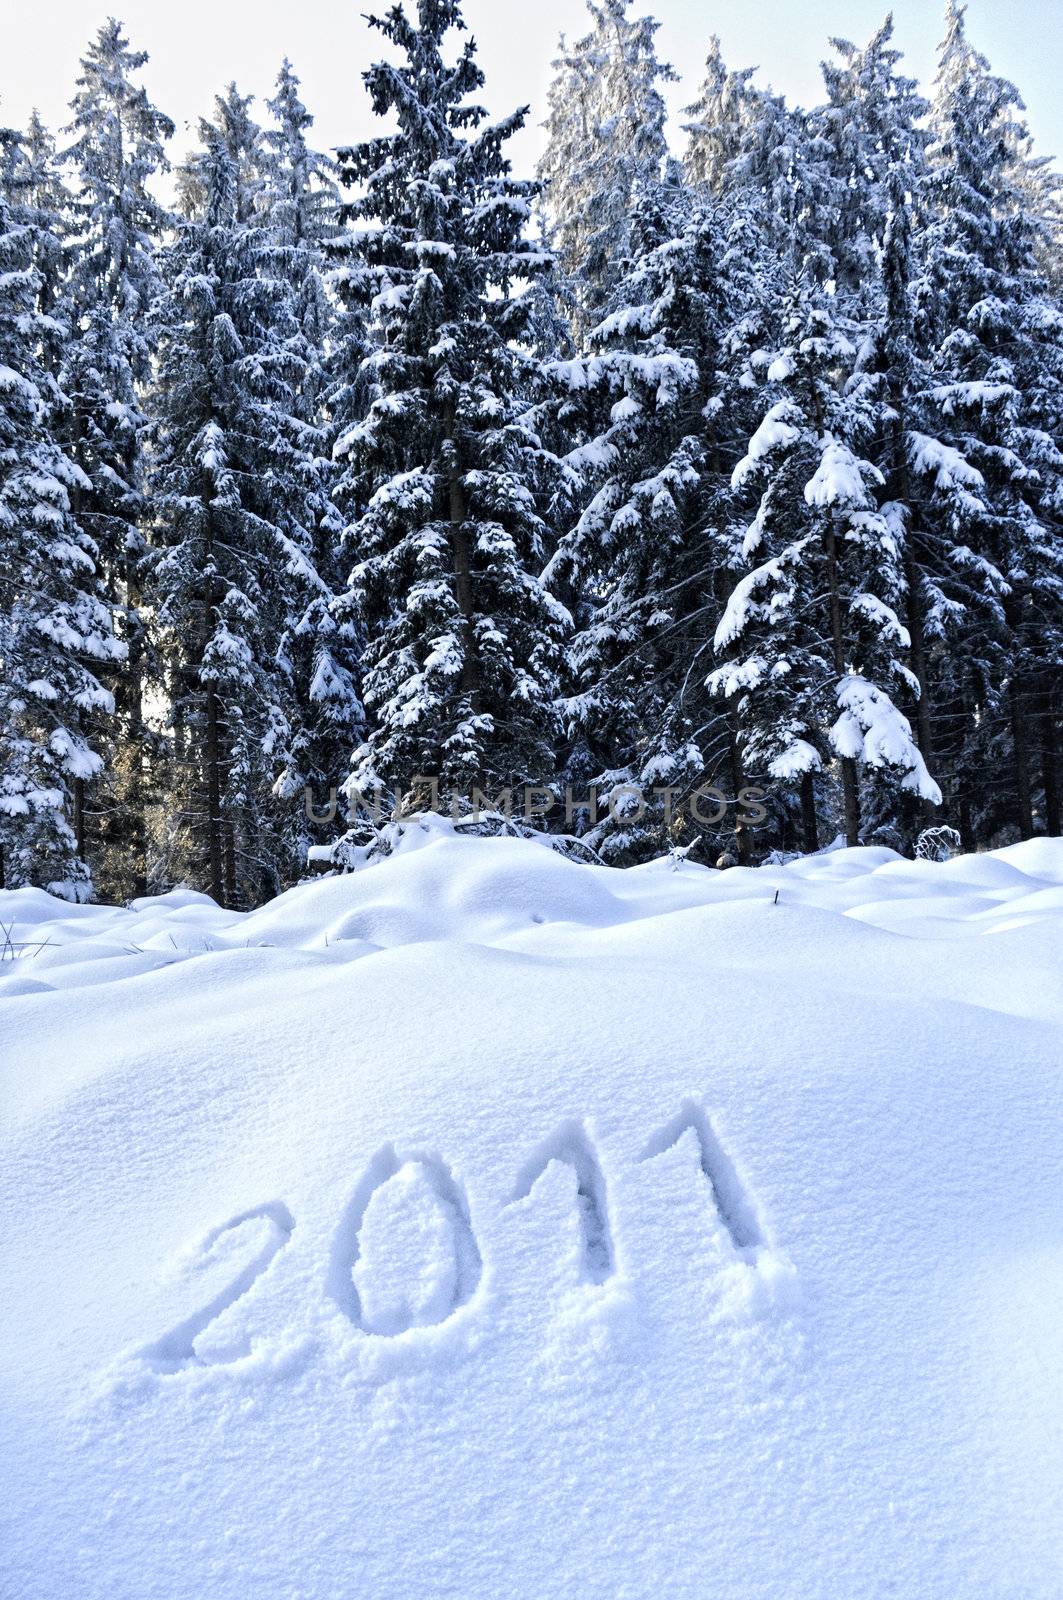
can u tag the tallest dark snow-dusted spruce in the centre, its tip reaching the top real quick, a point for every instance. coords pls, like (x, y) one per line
(462, 641)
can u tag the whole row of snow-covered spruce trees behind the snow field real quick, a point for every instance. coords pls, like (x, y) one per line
(651, 473)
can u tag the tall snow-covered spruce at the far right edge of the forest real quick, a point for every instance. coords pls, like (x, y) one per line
(995, 342)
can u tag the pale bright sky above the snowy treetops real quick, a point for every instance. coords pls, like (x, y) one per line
(199, 46)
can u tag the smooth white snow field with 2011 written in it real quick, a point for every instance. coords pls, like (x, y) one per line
(486, 1225)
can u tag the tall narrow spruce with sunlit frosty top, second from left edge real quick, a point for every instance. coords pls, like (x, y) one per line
(119, 146)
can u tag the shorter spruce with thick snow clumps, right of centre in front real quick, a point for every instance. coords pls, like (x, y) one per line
(811, 636)
